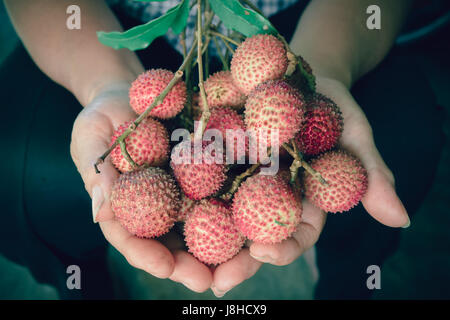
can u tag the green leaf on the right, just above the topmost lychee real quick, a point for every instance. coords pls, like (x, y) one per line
(244, 20)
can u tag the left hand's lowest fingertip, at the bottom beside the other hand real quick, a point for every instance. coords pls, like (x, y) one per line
(190, 272)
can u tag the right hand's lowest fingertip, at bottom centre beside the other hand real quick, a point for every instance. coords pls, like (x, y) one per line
(233, 272)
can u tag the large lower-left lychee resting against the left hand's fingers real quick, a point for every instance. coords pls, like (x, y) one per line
(145, 202)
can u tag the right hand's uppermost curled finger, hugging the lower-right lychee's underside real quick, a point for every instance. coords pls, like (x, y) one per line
(285, 252)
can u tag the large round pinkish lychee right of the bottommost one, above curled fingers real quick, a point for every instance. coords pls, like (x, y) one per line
(266, 210)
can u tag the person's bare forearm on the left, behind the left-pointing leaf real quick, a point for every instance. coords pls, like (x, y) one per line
(73, 58)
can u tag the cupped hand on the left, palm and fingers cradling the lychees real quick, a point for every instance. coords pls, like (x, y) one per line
(92, 131)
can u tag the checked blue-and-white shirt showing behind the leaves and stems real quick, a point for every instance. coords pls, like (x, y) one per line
(146, 11)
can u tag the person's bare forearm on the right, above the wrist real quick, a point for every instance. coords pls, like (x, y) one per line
(333, 37)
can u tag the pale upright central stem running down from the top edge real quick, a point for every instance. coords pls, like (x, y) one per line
(205, 112)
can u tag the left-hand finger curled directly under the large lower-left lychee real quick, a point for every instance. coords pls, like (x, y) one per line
(146, 254)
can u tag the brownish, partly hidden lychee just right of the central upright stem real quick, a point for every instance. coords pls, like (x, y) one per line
(222, 92)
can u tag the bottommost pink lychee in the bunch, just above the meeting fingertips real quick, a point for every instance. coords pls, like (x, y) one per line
(210, 233)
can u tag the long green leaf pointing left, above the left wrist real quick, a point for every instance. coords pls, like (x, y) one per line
(140, 37)
